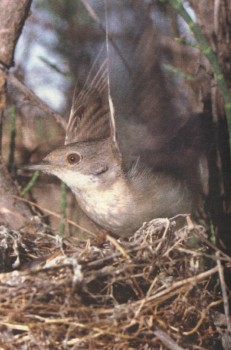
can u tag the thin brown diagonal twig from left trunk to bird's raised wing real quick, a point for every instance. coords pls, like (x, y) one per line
(30, 95)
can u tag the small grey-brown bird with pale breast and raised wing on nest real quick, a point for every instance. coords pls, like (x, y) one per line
(90, 163)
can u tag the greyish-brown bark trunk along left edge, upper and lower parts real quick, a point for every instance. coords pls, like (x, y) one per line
(12, 18)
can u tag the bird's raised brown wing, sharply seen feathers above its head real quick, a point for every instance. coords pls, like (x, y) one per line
(90, 113)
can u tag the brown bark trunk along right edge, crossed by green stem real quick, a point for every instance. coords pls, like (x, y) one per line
(214, 18)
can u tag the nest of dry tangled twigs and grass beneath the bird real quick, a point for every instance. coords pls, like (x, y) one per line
(159, 289)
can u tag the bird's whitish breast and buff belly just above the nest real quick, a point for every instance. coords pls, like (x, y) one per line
(122, 209)
